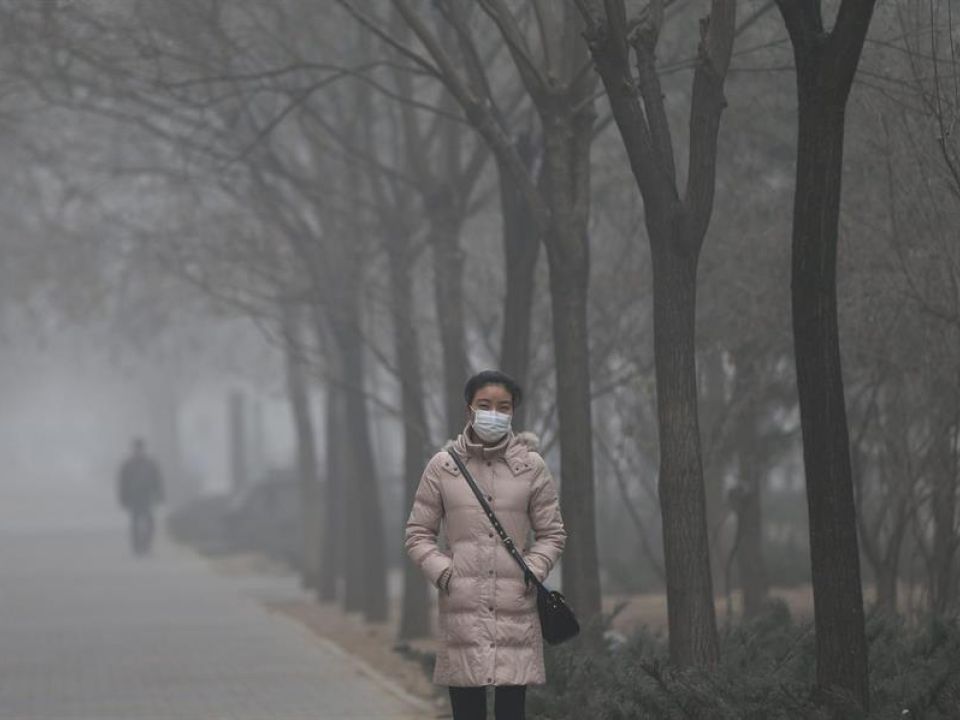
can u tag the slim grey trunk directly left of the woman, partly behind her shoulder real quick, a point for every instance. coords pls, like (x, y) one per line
(414, 616)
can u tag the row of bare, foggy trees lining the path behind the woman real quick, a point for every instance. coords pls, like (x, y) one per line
(335, 173)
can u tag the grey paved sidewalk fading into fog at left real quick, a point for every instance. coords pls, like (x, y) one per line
(88, 632)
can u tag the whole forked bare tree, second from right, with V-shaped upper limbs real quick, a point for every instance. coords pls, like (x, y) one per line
(676, 226)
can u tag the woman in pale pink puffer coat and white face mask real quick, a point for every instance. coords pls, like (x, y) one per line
(489, 628)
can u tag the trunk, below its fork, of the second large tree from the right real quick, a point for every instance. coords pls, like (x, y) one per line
(691, 614)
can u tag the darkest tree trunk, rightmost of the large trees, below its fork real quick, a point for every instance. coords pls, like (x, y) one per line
(835, 560)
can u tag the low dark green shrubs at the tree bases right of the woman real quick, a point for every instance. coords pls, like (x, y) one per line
(767, 672)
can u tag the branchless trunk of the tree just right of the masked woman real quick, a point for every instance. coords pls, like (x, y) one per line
(567, 160)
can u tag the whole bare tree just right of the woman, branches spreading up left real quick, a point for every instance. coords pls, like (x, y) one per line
(558, 82)
